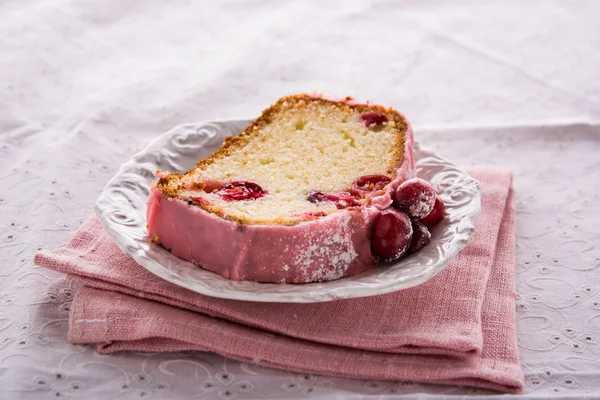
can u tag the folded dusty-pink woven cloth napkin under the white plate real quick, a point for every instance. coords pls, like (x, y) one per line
(457, 328)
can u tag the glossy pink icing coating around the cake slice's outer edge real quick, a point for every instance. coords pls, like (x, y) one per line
(327, 248)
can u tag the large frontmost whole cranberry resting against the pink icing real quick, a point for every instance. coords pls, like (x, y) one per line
(392, 234)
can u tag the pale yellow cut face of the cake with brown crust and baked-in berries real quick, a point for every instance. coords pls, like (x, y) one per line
(297, 161)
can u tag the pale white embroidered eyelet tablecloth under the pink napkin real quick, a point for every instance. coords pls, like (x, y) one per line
(502, 83)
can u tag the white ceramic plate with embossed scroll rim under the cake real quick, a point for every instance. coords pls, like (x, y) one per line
(122, 211)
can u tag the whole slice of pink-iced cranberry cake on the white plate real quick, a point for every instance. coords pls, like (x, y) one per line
(293, 198)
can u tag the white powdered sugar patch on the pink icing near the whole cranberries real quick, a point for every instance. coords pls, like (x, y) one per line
(328, 254)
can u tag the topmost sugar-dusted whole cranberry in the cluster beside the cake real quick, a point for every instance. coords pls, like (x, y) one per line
(415, 197)
